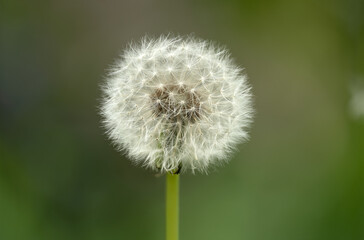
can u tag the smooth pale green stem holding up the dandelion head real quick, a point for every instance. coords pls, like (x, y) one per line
(172, 206)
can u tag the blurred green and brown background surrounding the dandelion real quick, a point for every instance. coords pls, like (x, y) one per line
(301, 176)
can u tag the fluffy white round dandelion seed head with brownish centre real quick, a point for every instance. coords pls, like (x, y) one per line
(176, 103)
